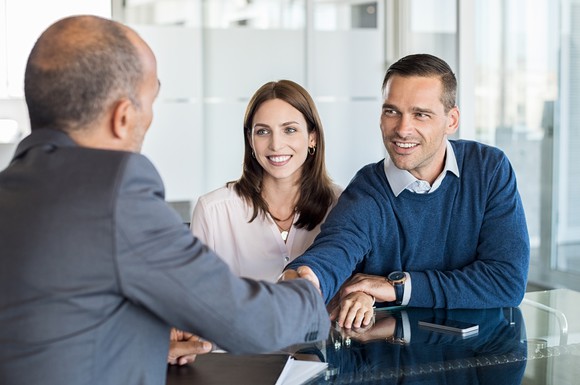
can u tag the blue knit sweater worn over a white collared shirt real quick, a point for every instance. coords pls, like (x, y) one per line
(465, 245)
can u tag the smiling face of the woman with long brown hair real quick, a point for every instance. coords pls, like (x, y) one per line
(280, 140)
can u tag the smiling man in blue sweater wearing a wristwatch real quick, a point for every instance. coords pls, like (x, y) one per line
(438, 223)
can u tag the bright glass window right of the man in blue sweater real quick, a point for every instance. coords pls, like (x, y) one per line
(527, 93)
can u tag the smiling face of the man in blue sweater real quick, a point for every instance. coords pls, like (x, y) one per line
(415, 125)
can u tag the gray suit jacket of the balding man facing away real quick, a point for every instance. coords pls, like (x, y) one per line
(95, 268)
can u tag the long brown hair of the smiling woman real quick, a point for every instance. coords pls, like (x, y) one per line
(316, 192)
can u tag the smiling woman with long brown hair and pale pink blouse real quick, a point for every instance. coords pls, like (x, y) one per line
(271, 215)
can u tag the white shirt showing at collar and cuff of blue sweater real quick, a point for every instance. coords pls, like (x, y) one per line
(400, 180)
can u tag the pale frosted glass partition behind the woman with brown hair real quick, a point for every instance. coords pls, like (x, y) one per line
(214, 54)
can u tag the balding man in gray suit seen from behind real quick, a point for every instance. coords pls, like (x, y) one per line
(94, 266)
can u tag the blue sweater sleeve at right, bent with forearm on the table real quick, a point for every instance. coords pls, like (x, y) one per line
(498, 273)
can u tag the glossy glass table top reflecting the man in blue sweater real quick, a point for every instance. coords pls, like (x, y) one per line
(535, 343)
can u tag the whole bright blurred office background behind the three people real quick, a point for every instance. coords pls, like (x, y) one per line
(517, 62)
